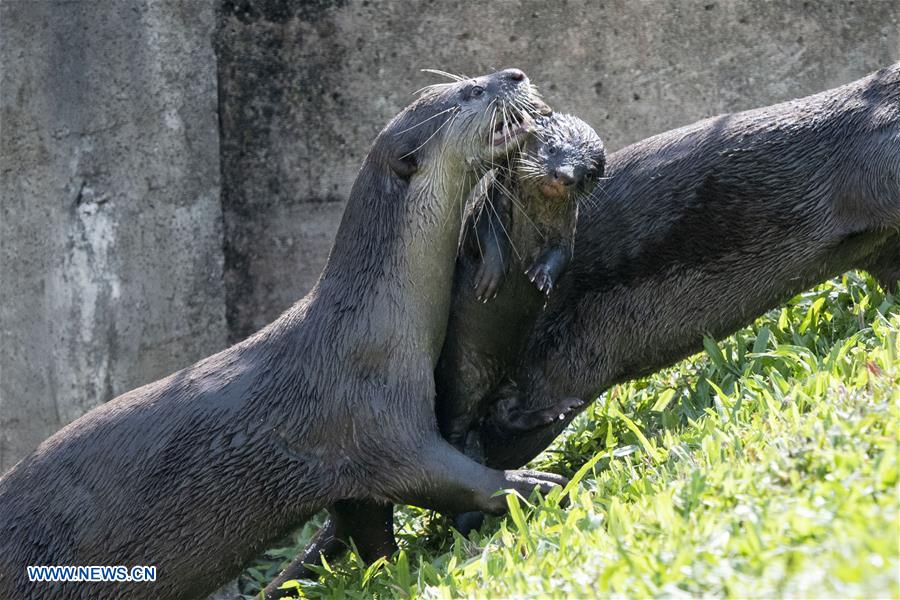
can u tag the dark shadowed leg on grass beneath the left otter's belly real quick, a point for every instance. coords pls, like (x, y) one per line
(370, 525)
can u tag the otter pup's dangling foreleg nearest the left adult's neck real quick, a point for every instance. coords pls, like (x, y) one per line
(492, 224)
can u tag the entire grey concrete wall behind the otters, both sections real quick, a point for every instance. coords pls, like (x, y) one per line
(123, 255)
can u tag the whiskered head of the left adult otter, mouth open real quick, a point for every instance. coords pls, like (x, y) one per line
(454, 127)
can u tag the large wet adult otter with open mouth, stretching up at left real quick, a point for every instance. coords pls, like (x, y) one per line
(333, 402)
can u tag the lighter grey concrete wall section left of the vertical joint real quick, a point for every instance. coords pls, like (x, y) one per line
(111, 233)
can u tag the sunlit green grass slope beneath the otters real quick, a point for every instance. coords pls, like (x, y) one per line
(764, 466)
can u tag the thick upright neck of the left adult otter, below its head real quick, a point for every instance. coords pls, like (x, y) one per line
(390, 272)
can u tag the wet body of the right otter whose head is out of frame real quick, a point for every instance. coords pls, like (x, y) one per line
(700, 230)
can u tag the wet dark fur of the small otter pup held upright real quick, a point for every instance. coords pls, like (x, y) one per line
(485, 338)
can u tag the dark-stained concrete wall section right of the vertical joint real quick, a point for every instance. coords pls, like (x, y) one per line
(631, 68)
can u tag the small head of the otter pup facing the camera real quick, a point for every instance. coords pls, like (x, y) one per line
(564, 159)
